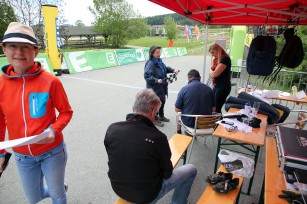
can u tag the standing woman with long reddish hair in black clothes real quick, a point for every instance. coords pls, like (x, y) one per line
(220, 73)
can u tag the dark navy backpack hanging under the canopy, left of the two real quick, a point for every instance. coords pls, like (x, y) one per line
(261, 56)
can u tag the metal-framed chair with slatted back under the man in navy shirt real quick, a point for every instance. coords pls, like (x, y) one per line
(204, 126)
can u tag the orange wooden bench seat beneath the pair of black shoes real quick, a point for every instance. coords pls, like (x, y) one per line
(210, 196)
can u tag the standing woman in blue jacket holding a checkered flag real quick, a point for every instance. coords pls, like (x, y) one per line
(155, 74)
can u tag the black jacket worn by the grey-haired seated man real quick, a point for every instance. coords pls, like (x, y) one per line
(139, 158)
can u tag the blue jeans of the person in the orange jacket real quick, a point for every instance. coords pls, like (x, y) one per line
(50, 165)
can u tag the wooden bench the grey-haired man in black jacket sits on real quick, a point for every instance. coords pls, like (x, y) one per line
(178, 145)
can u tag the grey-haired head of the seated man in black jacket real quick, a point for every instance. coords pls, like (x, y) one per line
(146, 103)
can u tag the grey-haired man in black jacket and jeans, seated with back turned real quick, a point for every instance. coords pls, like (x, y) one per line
(140, 169)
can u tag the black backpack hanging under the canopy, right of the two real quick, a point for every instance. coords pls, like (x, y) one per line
(292, 53)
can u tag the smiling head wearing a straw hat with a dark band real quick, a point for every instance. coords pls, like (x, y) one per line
(20, 47)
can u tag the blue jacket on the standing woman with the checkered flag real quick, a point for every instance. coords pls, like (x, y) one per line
(152, 74)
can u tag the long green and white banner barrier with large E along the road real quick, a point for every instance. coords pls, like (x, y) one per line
(82, 61)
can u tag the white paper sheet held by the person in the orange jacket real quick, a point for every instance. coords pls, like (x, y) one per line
(24, 141)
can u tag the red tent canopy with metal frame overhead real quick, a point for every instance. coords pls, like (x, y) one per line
(240, 12)
